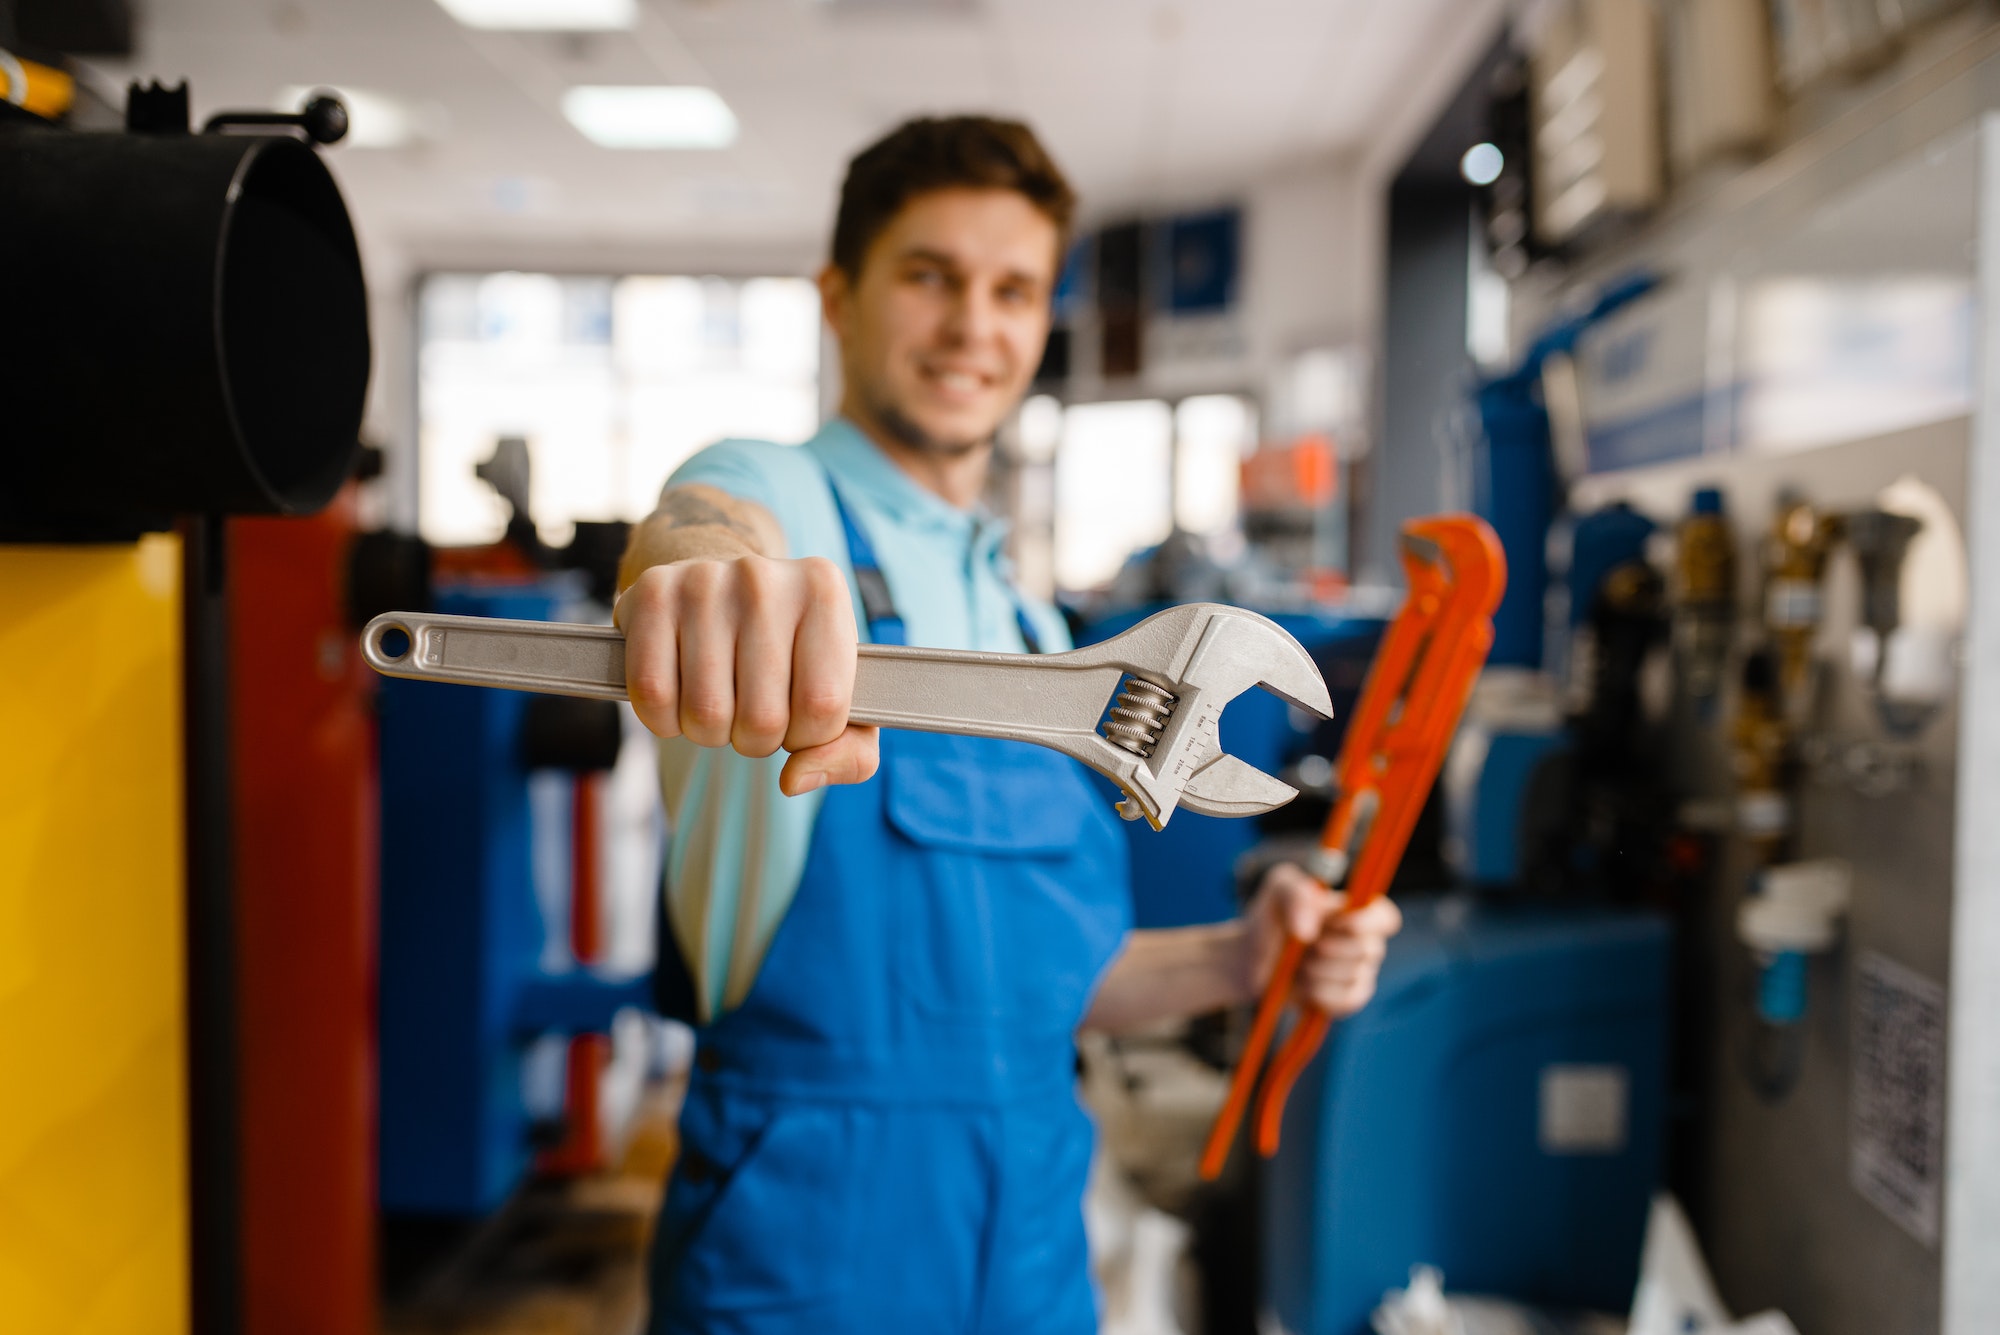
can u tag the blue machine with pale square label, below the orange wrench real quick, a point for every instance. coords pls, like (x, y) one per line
(1495, 1112)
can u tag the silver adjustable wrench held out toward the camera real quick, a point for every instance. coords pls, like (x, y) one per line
(1171, 674)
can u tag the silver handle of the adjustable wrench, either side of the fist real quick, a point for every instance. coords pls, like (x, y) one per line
(1033, 698)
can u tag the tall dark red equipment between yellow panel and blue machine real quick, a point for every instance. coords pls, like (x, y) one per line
(305, 920)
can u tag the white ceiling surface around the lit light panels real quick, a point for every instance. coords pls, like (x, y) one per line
(1143, 101)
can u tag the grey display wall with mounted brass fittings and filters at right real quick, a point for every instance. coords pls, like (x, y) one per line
(1791, 744)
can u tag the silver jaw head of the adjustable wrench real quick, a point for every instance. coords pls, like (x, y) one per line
(1221, 653)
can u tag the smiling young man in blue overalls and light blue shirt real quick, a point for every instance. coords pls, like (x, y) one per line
(891, 940)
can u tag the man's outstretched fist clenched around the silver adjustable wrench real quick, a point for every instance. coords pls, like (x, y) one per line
(755, 655)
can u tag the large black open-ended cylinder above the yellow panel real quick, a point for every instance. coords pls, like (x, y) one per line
(187, 327)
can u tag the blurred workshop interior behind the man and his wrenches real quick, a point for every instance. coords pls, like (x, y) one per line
(331, 1000)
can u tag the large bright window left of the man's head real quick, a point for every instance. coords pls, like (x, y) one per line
(611, 381)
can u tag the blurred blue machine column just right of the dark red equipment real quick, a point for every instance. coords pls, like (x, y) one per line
(463, 938)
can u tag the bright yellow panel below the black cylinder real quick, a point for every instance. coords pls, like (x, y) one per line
(93, 1074)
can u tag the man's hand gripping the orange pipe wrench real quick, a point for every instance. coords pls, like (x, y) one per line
(1345, 950)
